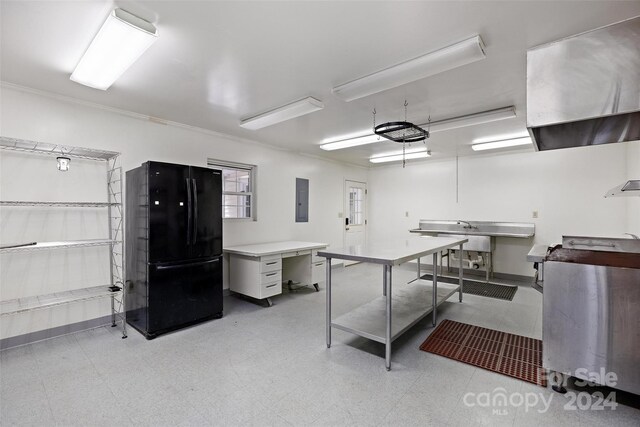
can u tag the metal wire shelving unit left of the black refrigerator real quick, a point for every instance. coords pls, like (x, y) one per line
(114, 178)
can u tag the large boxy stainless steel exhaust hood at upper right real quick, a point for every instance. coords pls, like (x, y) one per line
(585, 89)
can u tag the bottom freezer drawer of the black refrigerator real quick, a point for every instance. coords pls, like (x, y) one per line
(183, 294)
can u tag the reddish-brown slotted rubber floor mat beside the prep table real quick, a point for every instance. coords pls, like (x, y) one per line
(508, 354)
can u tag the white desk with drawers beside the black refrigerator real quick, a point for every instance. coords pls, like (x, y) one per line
(257, 271)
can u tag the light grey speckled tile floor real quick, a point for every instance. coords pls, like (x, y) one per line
(270, 366)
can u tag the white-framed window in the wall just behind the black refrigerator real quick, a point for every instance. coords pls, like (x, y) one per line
(238, 189)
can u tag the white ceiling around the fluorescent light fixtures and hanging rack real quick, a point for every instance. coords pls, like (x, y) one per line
(217, 62)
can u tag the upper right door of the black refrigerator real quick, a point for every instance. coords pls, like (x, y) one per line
(206, 187)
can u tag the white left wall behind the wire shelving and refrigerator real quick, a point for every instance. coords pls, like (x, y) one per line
(32, 116)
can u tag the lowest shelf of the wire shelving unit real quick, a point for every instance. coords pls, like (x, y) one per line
(21, 305)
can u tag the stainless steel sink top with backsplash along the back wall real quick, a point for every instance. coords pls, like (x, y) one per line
(478, 228)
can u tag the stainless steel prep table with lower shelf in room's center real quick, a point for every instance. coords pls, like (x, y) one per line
(374, 320)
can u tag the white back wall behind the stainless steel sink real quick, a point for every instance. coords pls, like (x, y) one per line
(566, 187)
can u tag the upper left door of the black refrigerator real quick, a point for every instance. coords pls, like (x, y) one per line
(168, 212)
